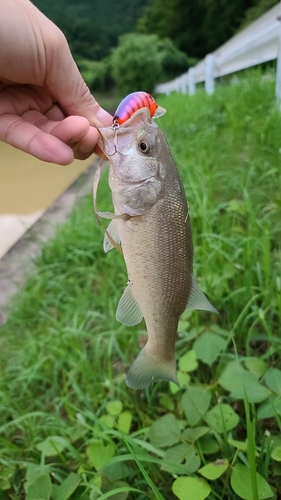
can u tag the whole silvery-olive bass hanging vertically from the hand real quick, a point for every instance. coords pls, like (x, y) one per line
(151, 221)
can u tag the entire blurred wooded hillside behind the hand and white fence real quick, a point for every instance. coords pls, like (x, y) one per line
(129, 44)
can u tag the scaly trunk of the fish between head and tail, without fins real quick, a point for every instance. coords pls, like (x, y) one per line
(157, 250)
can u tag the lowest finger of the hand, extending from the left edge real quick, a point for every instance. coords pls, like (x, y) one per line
(25, 136)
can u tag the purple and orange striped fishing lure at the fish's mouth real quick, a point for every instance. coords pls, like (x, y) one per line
(132, 103)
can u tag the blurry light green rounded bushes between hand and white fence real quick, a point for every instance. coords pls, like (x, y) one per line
(138, 64)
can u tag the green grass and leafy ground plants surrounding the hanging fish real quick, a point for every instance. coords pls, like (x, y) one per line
(69, 427)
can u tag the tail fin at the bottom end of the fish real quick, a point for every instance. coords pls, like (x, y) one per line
(147, 369)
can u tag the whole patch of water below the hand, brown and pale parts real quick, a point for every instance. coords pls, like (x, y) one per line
(27, 188)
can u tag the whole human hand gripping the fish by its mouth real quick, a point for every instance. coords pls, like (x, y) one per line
(46, 109)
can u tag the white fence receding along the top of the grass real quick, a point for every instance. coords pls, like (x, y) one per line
(257, 43)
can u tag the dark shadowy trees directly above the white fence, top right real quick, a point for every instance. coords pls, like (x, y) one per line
(198, 28)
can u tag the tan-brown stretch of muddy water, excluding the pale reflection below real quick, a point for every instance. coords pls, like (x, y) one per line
(28, 185)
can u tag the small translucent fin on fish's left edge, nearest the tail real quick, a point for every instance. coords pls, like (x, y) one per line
(128, 311)
